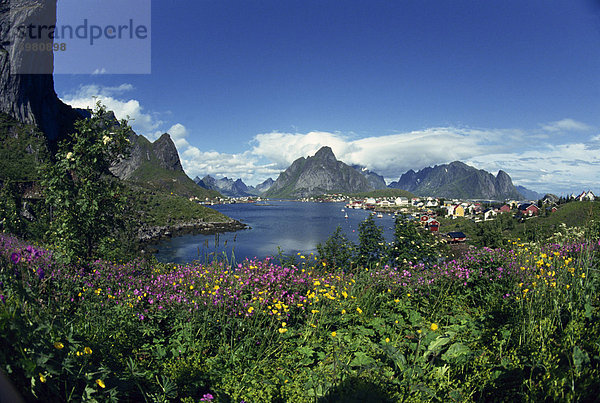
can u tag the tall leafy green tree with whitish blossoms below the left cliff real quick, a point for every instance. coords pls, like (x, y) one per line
(85, 200)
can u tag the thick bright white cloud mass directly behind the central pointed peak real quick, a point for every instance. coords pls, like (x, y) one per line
(389, 155)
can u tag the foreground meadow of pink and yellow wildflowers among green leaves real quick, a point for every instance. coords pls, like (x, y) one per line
(518, 323)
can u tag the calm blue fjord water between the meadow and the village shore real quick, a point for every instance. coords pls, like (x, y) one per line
(293, 227)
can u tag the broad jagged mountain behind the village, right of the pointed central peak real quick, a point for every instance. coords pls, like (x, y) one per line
(458, 180)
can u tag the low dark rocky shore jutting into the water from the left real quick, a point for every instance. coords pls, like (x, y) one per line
(148, 234)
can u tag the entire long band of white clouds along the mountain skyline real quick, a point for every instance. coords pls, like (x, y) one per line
(538, 165)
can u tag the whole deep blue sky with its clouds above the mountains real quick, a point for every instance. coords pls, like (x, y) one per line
(246, 87)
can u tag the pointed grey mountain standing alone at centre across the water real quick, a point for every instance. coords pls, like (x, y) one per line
(321, 173)
